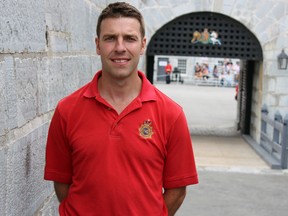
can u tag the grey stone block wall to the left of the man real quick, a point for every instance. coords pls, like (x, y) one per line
(46, 51)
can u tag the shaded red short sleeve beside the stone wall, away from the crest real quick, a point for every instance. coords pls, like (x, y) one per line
(58, 153)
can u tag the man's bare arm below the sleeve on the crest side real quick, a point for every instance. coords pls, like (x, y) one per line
(173, 199)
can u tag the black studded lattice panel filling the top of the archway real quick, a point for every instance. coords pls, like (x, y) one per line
(234, 39)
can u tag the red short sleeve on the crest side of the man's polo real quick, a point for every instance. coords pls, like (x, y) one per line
(180, 167)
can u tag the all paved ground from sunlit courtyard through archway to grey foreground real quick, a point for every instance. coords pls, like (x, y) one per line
(234, 180)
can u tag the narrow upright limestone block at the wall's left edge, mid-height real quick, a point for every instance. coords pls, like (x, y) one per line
(11, 93)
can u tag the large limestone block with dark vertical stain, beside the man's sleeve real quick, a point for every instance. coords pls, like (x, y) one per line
(25, 162)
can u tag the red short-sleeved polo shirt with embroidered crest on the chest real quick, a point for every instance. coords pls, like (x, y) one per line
(118, 164)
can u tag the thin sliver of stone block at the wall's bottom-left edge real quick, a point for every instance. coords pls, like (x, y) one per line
(3, 169)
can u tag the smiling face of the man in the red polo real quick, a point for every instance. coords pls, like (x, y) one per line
(120, 45)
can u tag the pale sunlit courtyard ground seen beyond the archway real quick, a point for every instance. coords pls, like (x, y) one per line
(209, 110)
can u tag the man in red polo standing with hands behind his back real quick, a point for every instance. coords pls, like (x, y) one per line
(118, 146)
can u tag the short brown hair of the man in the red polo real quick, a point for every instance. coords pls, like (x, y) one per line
(121, 9)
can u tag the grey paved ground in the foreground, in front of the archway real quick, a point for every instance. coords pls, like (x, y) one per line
(237, 194)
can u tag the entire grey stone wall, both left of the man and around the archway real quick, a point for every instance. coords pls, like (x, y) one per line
(47, 51)
